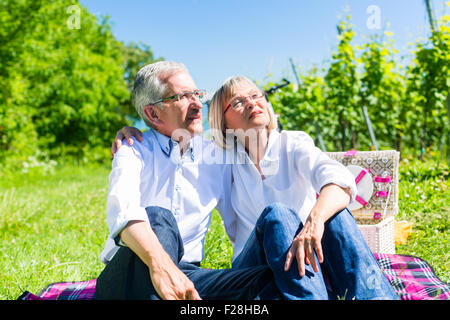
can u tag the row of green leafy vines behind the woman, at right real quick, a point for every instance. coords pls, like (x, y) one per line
(408, 105)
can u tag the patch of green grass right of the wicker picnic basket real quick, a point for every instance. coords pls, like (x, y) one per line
(424, 199)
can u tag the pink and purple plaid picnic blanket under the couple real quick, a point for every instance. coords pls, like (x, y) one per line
(411, 277)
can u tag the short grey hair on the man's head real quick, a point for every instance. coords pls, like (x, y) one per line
(150, 84)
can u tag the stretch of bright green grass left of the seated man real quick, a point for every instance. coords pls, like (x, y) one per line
(52, 228)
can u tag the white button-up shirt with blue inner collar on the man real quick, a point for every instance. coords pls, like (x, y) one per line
(153, 173)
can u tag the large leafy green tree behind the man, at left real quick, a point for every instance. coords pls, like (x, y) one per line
(65, 88)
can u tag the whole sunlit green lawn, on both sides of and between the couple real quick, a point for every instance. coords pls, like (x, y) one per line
(53, 227)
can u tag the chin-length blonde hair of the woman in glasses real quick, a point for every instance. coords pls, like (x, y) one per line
(216, 116)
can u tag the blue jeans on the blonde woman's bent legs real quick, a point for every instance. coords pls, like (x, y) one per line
(349, 265)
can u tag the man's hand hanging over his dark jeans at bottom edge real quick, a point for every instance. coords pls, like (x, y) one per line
(170, 282)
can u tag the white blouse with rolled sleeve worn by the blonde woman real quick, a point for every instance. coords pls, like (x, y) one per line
(294, 169)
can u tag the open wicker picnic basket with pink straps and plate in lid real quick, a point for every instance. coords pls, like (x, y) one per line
(377, 201)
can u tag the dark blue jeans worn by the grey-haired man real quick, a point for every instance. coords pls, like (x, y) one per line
(127, 277)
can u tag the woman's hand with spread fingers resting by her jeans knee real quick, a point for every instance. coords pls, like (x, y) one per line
(305, 244)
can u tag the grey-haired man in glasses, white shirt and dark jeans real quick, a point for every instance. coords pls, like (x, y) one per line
(160, 201)
